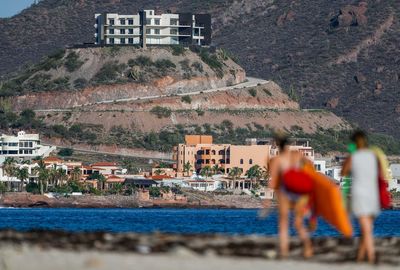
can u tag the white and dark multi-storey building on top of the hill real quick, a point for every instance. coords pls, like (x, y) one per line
(151, 28)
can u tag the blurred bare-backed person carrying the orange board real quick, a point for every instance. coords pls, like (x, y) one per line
(287, 200)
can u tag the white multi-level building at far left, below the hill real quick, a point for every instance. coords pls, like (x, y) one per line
(23, 146)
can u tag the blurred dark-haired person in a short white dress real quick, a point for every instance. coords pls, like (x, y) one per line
(365, 204)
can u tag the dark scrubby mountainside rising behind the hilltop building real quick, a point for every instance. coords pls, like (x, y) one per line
(340, 55)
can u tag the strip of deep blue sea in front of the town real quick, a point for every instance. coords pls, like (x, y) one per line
(186, 221)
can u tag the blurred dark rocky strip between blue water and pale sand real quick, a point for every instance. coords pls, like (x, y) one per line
(327, 250)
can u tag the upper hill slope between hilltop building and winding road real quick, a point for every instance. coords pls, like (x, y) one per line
(77, 77)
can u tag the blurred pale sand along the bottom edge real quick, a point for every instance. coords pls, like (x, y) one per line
(23, 257)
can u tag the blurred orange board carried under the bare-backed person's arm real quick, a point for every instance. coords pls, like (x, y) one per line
(328, 202)
